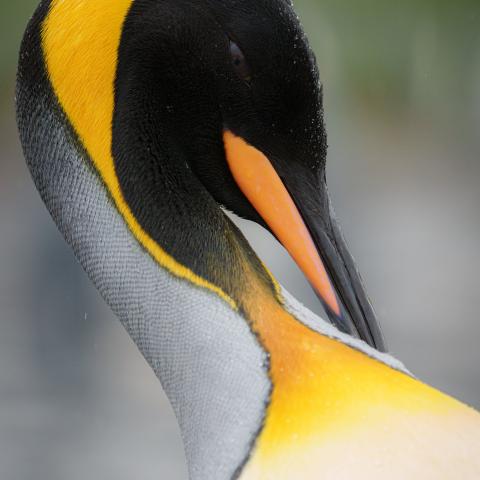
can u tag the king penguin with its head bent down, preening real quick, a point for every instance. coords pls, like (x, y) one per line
(141, 122)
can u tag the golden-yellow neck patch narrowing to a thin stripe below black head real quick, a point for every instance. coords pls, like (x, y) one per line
(80, 40)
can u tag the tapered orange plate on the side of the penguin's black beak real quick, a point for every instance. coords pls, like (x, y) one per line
(261, 185)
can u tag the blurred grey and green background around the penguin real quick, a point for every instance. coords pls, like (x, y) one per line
(402, 93)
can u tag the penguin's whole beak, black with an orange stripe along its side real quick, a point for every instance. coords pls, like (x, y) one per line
(314, 243)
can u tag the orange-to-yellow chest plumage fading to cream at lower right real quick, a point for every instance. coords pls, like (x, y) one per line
(335, 413)
